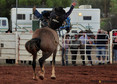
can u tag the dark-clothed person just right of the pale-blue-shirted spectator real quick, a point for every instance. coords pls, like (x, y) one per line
(88, 50)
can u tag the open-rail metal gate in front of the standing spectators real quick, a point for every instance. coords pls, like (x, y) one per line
(94, 51)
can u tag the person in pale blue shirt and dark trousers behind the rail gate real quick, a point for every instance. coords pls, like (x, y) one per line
(83, 39)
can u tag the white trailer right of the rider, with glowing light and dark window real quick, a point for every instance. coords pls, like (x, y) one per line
(84, 19)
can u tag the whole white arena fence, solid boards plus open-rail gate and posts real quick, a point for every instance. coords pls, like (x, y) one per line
(12, 47)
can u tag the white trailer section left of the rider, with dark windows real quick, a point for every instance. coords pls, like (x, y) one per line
(24, 18)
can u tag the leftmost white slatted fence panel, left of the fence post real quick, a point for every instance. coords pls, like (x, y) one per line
(7, 46)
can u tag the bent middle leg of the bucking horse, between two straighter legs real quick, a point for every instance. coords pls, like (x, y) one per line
(41, 62)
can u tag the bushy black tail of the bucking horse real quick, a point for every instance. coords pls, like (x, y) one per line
(33, 45)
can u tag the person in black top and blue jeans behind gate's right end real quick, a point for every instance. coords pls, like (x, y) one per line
(101, 46)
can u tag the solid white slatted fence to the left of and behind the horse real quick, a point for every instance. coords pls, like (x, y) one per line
(12, 46)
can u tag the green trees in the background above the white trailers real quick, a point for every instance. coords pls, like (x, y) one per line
(108, 7)
